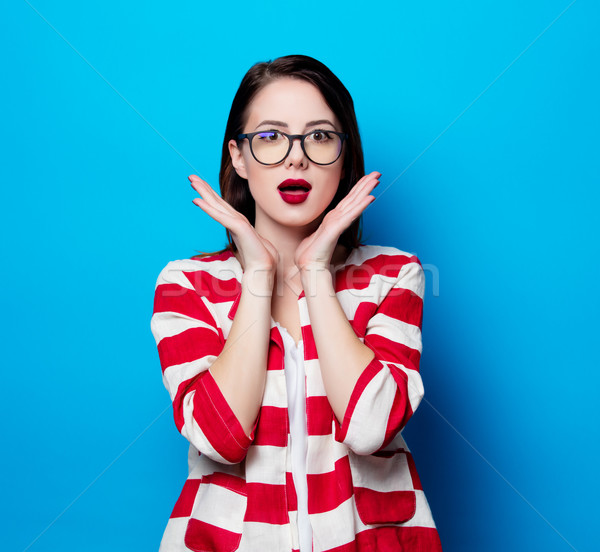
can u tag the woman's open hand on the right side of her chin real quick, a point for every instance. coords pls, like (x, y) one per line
(316, 250)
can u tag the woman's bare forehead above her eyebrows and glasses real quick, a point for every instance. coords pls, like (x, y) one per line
(293, 101)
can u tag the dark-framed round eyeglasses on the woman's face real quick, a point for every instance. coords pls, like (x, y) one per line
(271, 147)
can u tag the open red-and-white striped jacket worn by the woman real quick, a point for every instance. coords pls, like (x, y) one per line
(364, 493)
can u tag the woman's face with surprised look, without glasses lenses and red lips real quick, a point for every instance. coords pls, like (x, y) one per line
(292, 106)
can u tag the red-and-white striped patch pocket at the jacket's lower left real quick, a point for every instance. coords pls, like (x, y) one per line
(217, 518)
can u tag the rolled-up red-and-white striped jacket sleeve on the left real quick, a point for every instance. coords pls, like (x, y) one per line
(189, 340)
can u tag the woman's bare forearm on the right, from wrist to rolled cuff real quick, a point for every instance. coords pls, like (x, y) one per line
(342, 357)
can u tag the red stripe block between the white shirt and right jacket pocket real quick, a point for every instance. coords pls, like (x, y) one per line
(326, 491)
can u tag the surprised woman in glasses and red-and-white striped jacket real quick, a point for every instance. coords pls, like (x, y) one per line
(292, 356)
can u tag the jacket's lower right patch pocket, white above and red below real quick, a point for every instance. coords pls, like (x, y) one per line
(384, 492)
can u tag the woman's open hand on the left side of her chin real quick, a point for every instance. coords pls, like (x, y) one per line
(257, 254)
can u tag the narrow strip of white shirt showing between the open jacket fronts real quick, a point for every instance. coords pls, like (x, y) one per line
(294, 379)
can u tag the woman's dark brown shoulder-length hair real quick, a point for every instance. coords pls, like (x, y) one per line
(235, 190)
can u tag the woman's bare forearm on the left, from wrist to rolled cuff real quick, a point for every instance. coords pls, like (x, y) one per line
(240, 369)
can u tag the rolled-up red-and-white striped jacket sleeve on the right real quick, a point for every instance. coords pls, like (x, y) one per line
(390, 388)
